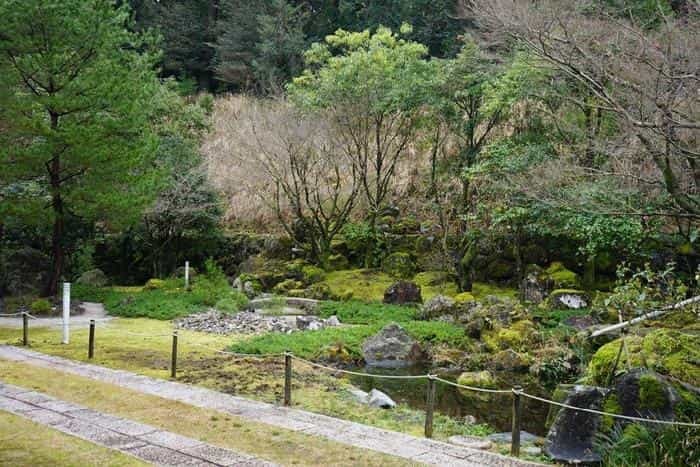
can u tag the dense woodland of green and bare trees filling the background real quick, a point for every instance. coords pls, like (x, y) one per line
(530, 152)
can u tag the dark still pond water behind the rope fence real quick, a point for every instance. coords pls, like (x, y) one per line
(492, 409)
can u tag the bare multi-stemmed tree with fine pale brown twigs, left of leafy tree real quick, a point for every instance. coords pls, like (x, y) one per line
(312, 184)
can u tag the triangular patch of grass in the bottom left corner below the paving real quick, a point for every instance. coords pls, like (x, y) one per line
(23, 442)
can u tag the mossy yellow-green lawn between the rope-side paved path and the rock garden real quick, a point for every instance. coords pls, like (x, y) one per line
(261, 379)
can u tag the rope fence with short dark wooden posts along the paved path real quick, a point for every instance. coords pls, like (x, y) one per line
(516, 392)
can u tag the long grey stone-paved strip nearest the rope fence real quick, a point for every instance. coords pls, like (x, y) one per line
(354, 434)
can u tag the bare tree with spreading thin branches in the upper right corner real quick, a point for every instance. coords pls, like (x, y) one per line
(645, 76)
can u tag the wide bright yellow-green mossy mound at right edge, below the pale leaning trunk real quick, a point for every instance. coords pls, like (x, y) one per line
(666, 351)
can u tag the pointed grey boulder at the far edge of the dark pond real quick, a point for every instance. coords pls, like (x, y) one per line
(392, 347)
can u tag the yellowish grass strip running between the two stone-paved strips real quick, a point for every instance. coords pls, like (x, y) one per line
(268, 442)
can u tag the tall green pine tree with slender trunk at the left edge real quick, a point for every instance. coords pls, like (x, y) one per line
(78, 89)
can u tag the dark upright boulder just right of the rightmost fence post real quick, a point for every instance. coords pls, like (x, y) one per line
(570, 438)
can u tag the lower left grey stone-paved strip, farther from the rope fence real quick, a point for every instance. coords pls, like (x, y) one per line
(145, 442)
